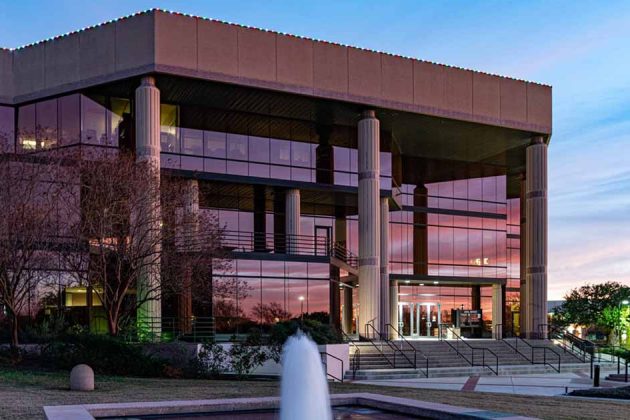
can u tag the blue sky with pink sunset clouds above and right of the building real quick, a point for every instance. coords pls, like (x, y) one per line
(580, 48)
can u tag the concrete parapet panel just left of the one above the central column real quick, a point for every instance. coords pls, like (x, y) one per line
(330, 67)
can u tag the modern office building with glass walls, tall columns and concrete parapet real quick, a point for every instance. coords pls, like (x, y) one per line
(375, 191)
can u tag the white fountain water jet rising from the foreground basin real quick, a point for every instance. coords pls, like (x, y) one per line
(304, 389)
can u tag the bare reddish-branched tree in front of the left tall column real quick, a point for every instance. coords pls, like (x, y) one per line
(127, 220)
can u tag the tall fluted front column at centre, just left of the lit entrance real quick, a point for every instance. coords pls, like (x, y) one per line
(369, 219)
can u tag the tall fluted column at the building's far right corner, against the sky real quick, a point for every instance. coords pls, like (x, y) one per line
(536, 238)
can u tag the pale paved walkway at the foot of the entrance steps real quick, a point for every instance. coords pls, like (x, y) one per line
(535, 384)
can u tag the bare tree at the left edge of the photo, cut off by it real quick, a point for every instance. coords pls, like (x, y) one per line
(29, 193)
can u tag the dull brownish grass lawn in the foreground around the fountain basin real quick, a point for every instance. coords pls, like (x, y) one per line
(24, 393)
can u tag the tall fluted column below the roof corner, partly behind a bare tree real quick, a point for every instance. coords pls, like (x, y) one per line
(148, 150)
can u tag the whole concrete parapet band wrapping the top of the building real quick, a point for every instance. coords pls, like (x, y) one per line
(202, 48)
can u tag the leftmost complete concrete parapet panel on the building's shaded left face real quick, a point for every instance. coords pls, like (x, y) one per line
(28, 63)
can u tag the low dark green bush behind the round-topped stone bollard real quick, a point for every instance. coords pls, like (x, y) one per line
(104, 354)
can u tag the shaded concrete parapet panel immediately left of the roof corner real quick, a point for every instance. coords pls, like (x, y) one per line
(135, 42)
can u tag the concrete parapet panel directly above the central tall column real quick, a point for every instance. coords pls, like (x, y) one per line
(364, 73)
